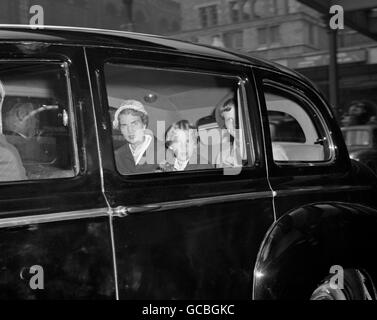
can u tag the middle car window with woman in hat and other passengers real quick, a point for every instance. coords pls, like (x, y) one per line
(174, 121)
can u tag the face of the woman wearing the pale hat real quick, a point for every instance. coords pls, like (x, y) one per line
(132, 128)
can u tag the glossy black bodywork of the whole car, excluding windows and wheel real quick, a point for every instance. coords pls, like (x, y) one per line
(202, 238)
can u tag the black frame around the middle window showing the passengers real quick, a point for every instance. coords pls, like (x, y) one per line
(119, 55)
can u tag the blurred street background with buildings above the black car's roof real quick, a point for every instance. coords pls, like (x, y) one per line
(293, 33)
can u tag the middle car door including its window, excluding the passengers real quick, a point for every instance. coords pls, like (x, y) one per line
(194, 233)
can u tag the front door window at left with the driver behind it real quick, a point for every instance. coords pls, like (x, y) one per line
(36, 137)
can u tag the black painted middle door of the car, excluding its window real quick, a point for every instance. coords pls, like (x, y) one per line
(191, 247)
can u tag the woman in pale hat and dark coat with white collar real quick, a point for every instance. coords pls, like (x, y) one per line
(142, 151)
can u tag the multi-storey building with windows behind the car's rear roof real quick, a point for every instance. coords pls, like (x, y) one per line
(288, 33)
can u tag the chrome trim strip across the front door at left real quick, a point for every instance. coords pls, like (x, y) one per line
(53, 217)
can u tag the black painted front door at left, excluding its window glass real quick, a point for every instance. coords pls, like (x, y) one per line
(76, 255)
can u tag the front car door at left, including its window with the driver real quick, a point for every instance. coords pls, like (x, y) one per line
(54, 228)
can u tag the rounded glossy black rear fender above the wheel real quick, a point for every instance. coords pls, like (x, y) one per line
(301, 247)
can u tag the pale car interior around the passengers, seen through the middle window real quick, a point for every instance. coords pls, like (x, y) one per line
(170, 96)
